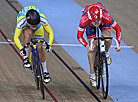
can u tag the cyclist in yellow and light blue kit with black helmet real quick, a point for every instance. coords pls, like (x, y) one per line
(30, 22)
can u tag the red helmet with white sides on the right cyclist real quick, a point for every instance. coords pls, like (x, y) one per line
(94, 13)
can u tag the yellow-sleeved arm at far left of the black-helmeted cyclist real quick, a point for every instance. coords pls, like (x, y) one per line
(16, 37)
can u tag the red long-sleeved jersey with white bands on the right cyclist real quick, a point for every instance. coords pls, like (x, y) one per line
(106, 19)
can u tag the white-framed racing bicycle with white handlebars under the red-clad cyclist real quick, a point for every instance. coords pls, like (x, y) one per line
(101, 66)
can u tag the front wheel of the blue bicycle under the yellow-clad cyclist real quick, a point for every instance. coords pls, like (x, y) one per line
(40, 77)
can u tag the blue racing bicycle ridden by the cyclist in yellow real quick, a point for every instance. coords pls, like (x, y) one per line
(36, 68)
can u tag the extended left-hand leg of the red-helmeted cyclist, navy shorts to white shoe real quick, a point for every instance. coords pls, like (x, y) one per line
(91, 33)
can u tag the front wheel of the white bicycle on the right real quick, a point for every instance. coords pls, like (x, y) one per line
(104, 76)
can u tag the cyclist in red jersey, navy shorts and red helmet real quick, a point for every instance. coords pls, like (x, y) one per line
(95, 15)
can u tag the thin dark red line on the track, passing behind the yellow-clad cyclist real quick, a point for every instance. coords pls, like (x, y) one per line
(52, 96)
